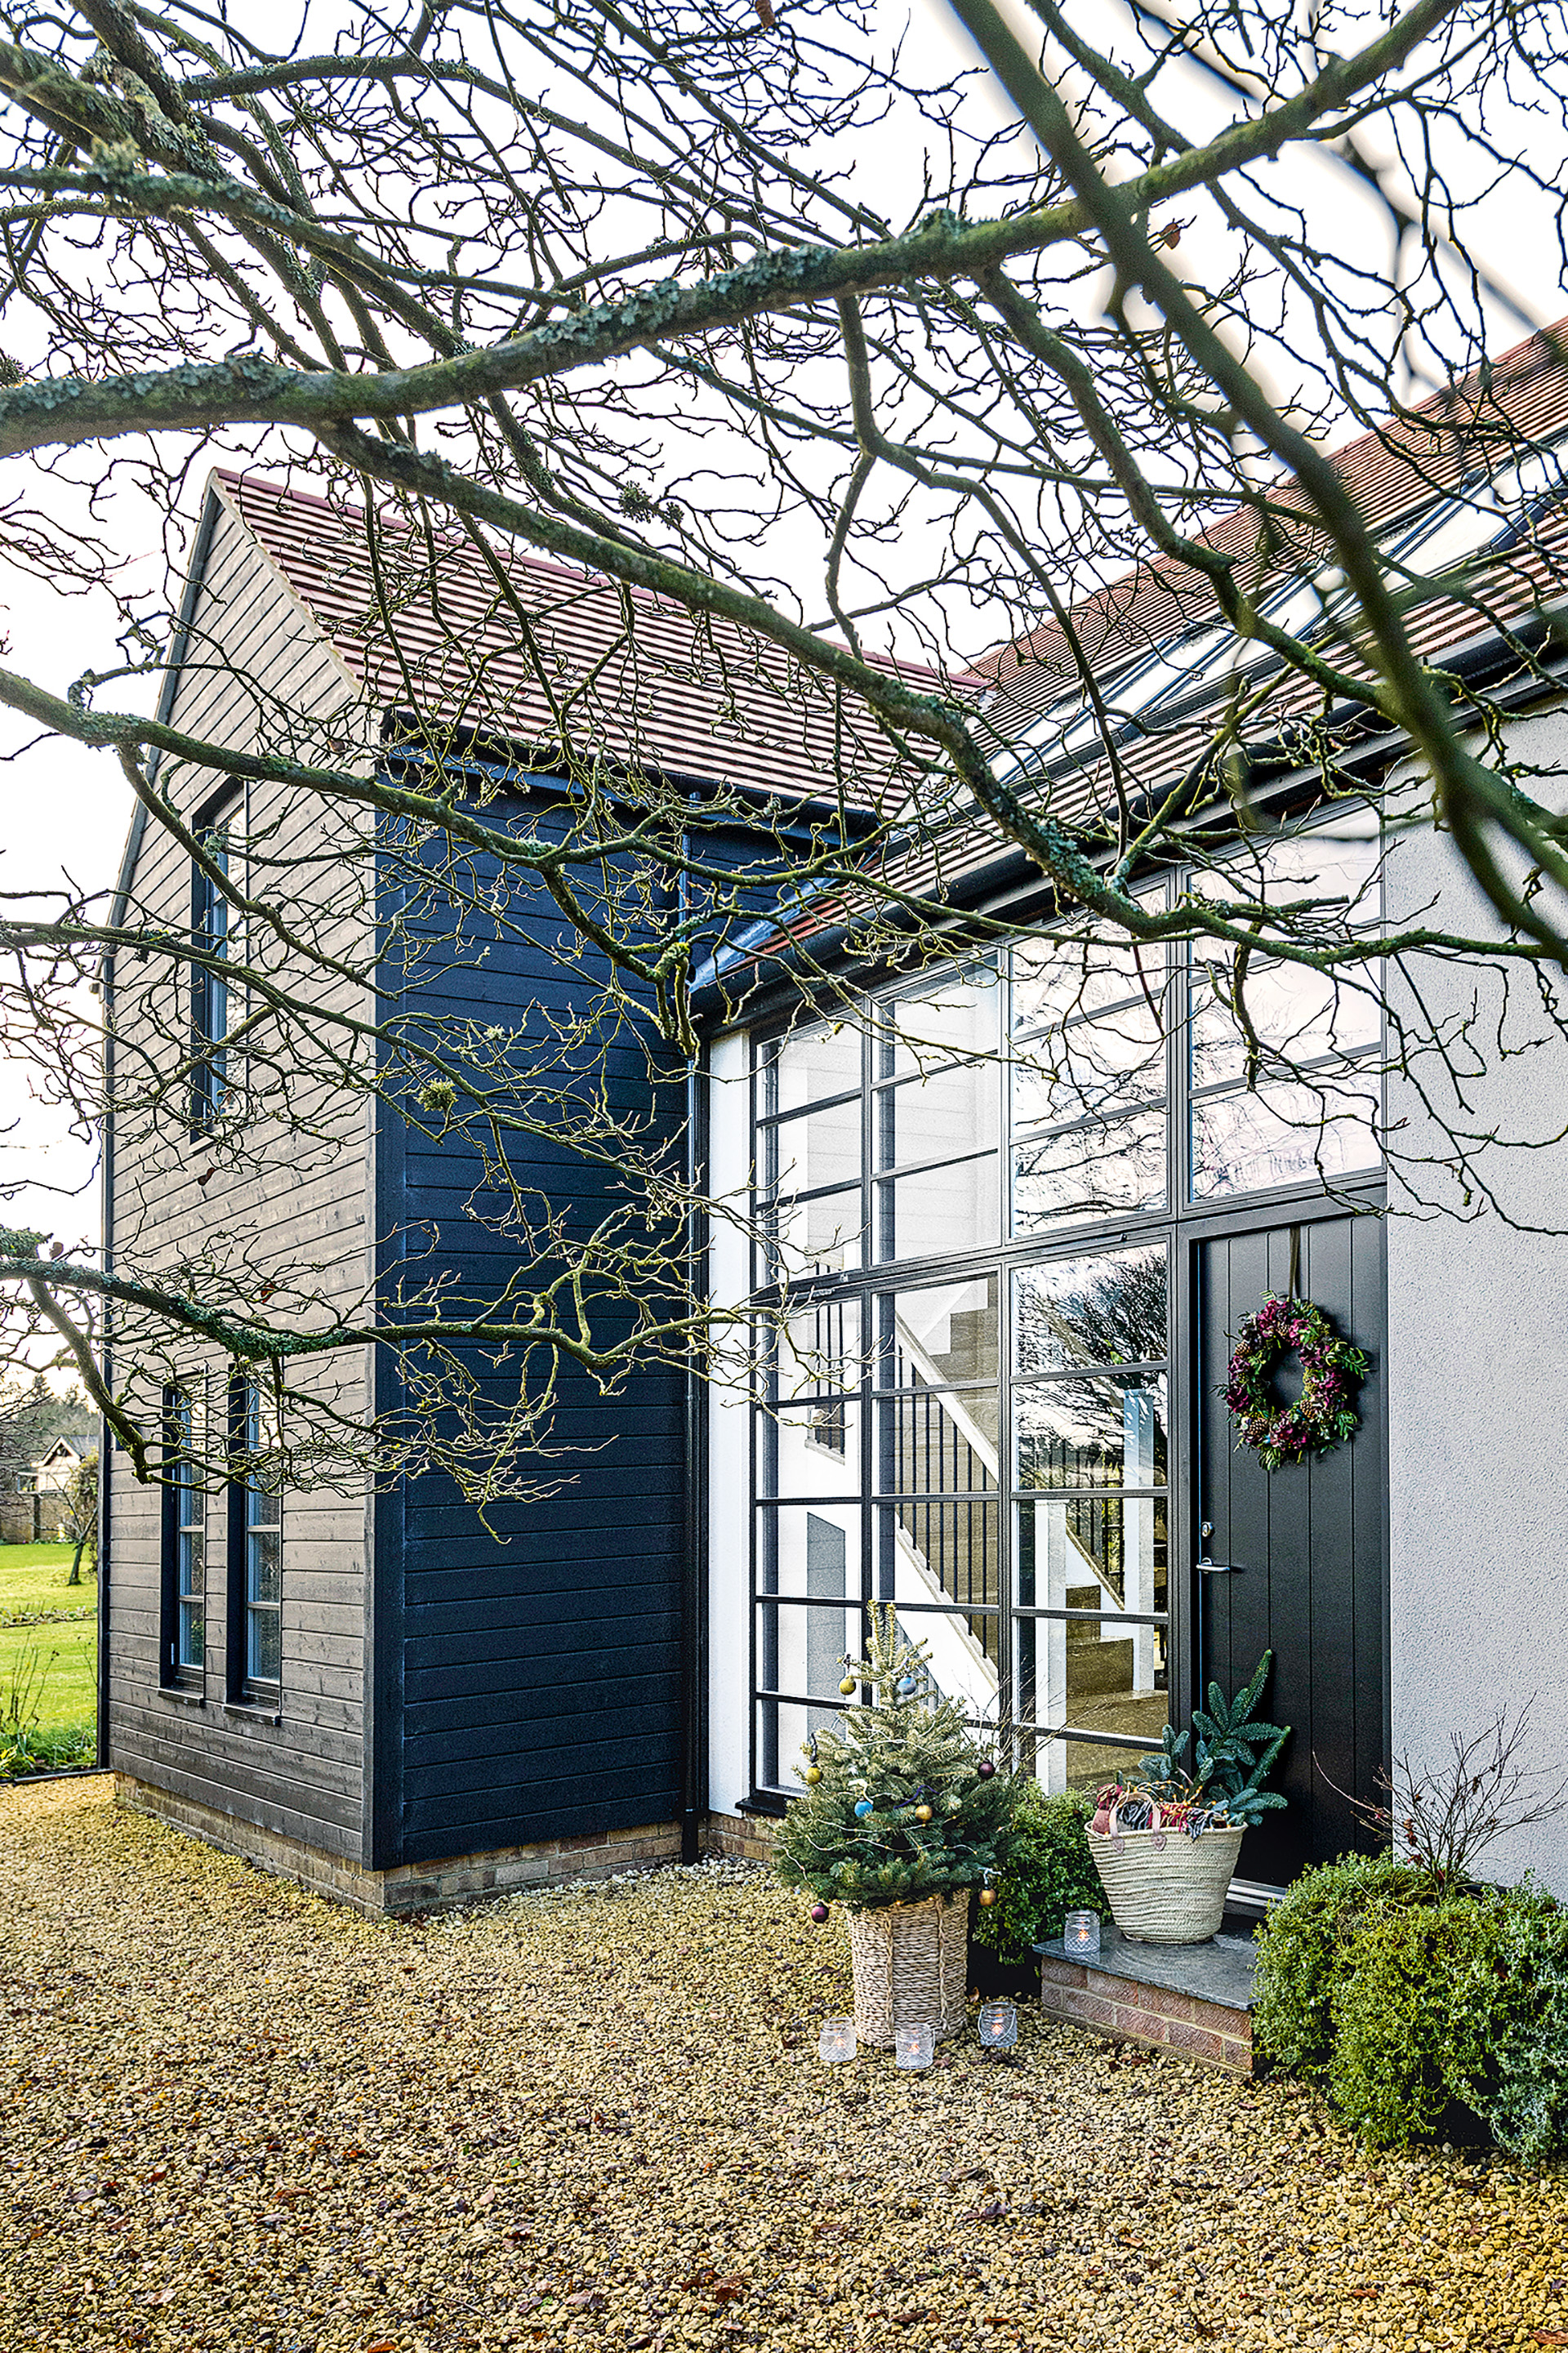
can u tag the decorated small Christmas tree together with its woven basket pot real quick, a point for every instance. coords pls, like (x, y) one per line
(901, 1820)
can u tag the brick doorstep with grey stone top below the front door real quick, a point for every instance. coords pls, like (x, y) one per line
(1190, 1999)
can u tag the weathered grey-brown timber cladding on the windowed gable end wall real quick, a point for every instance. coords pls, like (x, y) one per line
(255, 676)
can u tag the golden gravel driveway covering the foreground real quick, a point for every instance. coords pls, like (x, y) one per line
(237, 2117)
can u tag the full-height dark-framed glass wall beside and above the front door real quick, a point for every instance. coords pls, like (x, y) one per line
(969, 1206)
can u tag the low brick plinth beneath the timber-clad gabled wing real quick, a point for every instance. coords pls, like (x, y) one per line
(408, 1888)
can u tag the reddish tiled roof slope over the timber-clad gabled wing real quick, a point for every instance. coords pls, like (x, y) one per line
(547, 655)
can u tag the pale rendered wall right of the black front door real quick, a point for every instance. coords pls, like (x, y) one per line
(1477, 1340)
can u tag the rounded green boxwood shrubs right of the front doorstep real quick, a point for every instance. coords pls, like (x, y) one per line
(1421, 2008)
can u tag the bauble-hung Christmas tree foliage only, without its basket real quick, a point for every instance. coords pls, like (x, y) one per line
(898, 1754)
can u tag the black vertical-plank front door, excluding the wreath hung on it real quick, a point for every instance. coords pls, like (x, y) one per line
(1303, 1547)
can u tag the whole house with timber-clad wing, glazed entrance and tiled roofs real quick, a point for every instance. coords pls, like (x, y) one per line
(1016, 1272)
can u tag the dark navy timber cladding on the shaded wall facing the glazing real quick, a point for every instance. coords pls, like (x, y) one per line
(536, 1679)
